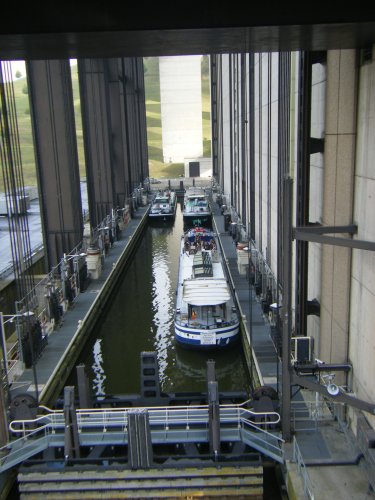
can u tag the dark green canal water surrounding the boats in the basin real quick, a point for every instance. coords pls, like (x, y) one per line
(140, 318)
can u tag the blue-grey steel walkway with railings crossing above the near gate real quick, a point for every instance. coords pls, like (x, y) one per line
(180, 424)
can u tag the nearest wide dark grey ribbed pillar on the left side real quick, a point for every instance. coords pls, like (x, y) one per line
(53, 125)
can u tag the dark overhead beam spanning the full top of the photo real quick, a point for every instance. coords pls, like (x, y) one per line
(82, 38)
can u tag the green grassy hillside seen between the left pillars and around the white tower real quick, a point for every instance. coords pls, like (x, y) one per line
(153, 116)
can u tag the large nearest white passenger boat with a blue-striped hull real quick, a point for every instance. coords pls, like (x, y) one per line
(206, 316)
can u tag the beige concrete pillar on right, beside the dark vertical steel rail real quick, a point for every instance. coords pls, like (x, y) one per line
(339, 163)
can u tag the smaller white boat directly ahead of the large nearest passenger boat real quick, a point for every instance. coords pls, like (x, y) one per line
(196, 211)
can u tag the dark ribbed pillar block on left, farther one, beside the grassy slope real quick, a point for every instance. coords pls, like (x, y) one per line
(114, 131)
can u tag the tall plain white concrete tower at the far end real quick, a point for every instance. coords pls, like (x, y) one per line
(181, 107)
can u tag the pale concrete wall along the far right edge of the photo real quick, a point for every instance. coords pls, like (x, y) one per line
(362, 279)
